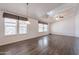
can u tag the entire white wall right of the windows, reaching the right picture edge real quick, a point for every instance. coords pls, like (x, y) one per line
(69, 26)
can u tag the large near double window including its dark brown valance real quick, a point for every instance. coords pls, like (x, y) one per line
(14, 23)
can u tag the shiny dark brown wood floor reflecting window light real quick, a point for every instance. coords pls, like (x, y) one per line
(46, 45)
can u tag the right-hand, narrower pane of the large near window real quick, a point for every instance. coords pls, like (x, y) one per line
(22, 27)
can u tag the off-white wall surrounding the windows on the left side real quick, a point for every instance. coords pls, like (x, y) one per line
(32, 32)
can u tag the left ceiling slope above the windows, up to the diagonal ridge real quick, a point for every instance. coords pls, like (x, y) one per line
(36, 10)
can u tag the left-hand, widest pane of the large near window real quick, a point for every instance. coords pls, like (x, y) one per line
(10, 26)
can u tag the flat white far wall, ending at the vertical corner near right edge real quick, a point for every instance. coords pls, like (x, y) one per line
(65, 27)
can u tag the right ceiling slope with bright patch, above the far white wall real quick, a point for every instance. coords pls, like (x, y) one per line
(66, 10)
